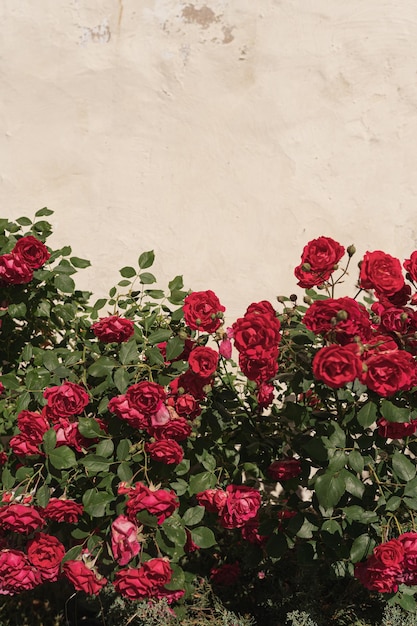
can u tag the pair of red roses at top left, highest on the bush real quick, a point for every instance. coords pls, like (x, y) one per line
(17, 266)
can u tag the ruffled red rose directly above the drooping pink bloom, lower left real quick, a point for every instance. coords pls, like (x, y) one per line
(160, 502)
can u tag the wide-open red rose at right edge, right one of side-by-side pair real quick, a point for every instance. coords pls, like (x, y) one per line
(389, 372)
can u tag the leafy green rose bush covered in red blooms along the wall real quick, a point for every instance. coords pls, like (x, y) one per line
(138, 455)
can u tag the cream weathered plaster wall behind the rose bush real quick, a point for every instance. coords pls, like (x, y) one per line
(224, 134)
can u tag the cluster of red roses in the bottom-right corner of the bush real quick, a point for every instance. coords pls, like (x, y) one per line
(391, 564)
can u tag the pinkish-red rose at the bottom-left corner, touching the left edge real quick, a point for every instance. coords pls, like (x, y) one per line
(16, 573)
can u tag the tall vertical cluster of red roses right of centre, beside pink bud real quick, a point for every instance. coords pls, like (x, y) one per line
(257, 336)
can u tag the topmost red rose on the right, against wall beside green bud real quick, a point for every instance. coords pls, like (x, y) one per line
(318, 260)
